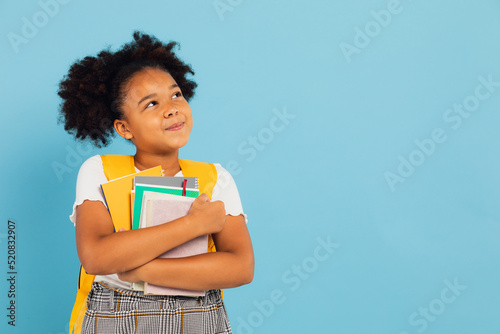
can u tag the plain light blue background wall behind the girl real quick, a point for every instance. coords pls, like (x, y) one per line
(321, 177)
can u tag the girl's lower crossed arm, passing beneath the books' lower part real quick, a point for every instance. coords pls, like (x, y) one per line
(231, 266)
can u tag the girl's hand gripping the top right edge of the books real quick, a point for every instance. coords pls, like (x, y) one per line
(209, 216)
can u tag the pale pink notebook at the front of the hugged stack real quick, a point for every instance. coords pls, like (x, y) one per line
(160, 211)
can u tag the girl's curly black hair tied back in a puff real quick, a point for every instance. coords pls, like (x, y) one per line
(94, 89)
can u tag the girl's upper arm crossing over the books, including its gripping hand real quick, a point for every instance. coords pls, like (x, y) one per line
(102, 251)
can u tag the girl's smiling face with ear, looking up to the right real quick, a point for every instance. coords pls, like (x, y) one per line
(157, 118)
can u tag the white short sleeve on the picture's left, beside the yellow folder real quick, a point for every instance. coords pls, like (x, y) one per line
(88, 183)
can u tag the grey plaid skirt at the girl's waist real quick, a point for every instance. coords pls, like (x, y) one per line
(124, 311)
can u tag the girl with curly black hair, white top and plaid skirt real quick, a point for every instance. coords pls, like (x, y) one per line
(141, 92)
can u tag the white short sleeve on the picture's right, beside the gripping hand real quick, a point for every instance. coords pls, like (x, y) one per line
(225, 190)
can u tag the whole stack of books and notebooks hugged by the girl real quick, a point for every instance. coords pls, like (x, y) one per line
(146, 199)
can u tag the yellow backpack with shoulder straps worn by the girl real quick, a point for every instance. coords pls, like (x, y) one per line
(116, 166)
